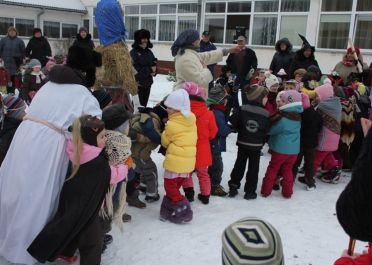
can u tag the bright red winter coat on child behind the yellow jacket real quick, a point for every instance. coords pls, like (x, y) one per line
(207, 130)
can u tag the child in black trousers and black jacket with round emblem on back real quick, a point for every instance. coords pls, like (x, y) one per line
(252, 123)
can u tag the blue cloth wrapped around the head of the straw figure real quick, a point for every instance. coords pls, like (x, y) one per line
(110, 23)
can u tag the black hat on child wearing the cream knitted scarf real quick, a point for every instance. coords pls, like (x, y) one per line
(114, 116)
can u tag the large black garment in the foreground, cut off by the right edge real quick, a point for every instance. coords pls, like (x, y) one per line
(354, 205)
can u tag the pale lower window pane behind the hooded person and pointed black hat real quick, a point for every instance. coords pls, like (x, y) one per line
(290, 27)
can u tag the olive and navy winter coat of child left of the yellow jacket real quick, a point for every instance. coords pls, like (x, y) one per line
(149, 125)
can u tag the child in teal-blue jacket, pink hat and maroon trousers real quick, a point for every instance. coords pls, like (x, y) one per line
(284, 142)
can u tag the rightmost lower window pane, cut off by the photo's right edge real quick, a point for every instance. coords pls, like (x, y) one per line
(363, 34)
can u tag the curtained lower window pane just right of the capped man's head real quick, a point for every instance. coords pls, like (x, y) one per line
(264, 30)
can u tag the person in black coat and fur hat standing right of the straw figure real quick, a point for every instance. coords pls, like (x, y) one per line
(144, 62)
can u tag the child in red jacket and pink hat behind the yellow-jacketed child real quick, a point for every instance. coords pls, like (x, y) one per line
(207, 130)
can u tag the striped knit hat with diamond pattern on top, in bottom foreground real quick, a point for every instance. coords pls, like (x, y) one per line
(251, 241)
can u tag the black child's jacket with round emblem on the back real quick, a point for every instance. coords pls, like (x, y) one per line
(252, 123)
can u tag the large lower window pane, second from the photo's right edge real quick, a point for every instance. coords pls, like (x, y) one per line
(334, 31)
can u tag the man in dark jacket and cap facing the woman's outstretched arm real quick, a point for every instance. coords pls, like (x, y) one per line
(243, 65)
